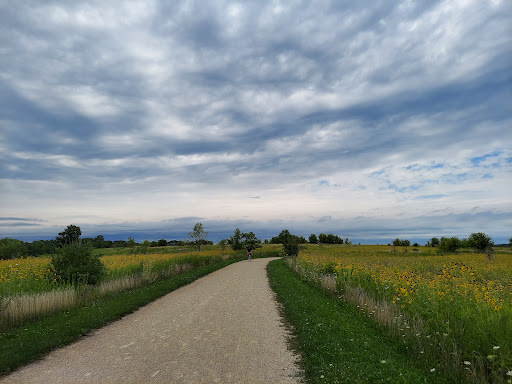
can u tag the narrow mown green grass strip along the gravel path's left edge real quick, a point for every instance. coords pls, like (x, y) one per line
(22, 345)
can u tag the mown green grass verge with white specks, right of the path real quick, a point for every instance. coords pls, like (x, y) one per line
(338, 343)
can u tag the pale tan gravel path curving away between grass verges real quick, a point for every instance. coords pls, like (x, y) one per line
(223, 328)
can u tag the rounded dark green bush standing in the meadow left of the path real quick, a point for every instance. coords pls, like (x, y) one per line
(75, 264)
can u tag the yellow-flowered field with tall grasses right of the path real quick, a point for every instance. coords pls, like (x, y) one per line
(453, 311)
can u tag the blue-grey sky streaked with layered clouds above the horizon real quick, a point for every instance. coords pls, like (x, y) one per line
(370, 120)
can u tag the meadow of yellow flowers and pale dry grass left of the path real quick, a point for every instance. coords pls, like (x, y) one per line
(27, 293)
